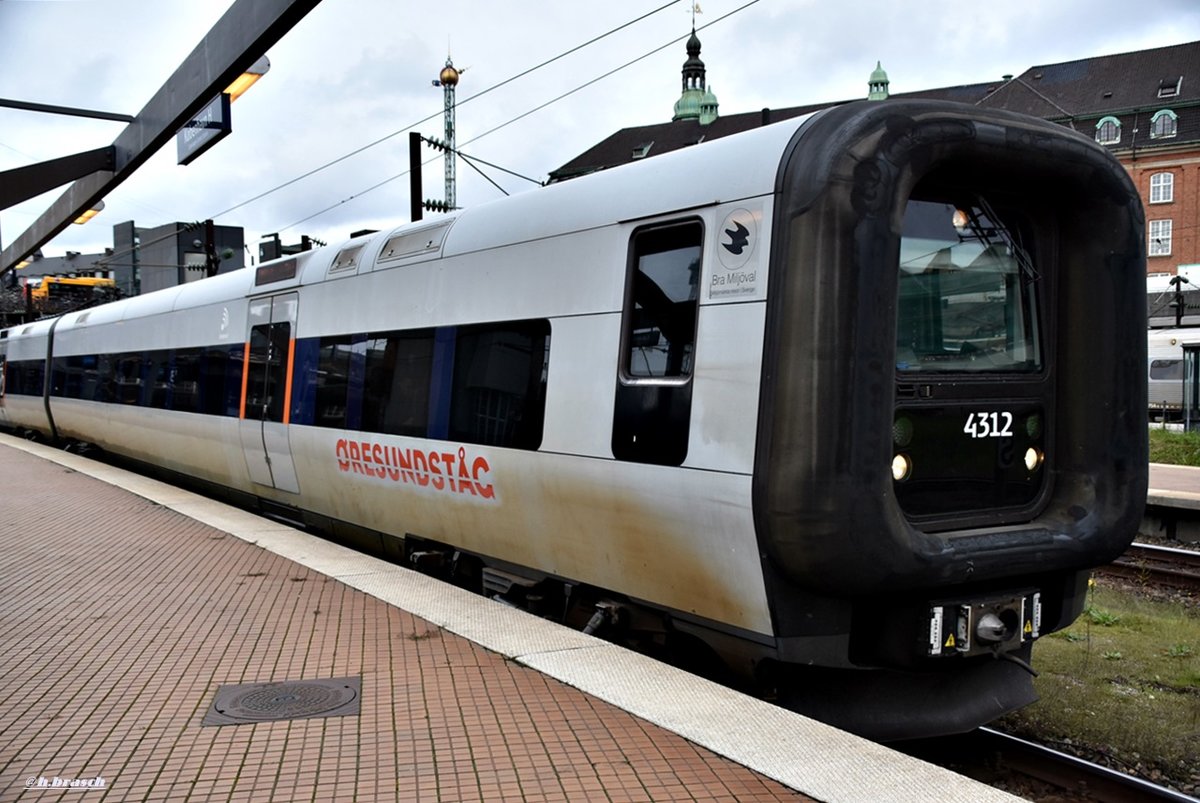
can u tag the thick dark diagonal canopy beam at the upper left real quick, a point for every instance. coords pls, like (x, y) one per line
(245, 33)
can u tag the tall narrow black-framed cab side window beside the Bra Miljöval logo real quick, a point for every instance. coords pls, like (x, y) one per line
(653, 403)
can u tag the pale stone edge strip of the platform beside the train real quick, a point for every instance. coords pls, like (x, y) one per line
(803, 754)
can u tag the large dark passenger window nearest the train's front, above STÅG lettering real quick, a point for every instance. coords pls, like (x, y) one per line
(499, 393)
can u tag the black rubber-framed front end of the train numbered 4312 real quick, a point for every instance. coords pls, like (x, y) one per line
(953, 409)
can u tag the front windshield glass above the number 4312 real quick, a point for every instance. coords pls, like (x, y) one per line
(968, 298)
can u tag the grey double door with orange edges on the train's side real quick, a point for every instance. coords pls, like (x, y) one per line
(267, 391)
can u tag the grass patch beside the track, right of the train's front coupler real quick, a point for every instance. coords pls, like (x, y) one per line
(1123, 682)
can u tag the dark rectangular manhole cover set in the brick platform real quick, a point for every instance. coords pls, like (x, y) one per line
(268, 703)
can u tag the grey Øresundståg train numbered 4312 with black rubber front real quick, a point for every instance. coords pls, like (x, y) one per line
(853, 401)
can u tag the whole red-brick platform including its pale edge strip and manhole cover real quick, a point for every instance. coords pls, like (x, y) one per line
(160, 646)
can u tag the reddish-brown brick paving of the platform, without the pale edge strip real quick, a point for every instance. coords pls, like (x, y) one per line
(121, 619)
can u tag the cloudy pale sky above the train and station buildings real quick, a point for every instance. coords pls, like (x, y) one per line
(358, 71)
